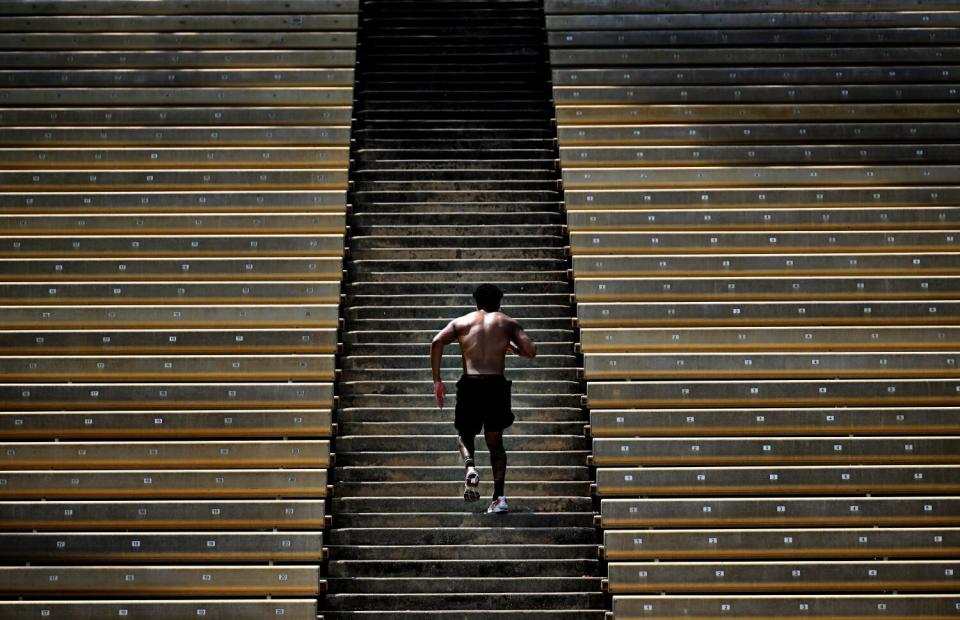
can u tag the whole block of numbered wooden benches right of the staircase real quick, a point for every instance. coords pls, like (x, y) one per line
(762, 207)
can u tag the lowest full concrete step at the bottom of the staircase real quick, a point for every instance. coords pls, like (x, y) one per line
(461, 601)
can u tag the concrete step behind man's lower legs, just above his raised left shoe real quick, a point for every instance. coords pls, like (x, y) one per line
(451, 458)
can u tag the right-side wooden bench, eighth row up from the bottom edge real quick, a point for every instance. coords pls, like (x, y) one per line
(824, 392)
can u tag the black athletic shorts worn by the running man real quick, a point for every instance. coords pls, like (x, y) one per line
(483, 401)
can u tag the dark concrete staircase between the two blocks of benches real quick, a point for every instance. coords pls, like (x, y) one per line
(455, 183)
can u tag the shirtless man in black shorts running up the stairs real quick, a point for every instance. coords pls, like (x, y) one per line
(483, 393)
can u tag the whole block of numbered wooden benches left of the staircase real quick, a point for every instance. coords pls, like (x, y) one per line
(172, 218)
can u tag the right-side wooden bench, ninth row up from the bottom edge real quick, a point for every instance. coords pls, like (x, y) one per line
(601, 366)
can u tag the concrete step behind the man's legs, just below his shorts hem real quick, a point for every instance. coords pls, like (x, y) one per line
(360, 443)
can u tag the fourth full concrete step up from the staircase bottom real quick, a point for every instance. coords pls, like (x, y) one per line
(482, 550)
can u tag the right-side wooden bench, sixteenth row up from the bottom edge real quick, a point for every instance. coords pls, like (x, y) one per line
(764, 198)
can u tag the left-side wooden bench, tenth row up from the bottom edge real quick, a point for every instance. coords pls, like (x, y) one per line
(144, 341)
